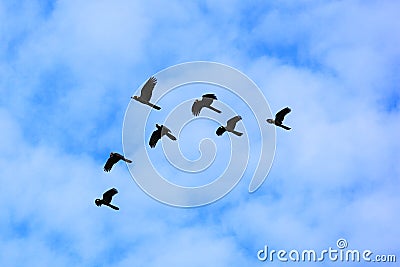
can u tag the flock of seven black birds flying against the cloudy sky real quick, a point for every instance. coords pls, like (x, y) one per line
(206, 102)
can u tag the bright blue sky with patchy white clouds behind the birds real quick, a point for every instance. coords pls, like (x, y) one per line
(68, 69)
